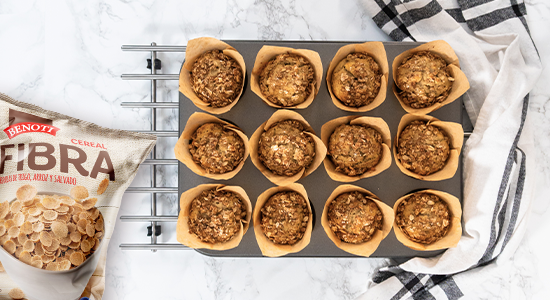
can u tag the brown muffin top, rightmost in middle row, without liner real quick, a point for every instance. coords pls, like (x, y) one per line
(423, 149)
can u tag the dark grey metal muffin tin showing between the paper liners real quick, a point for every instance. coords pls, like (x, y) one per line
(250, 112)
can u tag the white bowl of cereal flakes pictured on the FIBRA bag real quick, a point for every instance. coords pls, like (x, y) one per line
(50, 241)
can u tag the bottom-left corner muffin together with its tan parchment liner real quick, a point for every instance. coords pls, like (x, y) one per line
(213, 216)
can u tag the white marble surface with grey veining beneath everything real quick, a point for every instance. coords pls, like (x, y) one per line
(65, 56)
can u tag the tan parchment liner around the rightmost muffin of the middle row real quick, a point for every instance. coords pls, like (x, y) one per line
(456, 138)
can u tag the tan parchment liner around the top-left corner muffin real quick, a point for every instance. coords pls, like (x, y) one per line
(195, 48)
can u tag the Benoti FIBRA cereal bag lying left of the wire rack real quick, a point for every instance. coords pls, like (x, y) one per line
(61, 183)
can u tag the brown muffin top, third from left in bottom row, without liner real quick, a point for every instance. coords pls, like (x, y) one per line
(354, 217)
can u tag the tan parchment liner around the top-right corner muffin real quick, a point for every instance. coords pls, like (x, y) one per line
(440, 47)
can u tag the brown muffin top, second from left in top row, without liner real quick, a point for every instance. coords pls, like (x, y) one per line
(287, 80)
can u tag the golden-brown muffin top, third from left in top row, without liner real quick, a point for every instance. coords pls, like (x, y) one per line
(356, 80)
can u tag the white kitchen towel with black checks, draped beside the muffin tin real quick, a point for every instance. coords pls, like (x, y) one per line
(492, 41)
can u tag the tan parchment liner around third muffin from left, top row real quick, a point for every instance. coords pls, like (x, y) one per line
(378, 52)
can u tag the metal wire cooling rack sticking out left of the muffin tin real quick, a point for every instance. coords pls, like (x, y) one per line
(154, 229)
